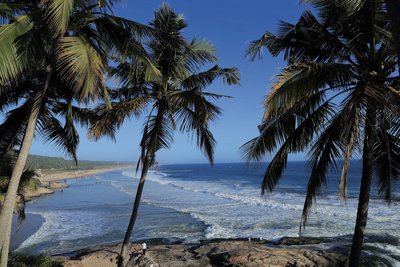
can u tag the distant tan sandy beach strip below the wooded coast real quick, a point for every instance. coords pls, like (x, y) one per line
(63, 175)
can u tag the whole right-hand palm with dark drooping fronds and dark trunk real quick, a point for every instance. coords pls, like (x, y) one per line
(337, 97)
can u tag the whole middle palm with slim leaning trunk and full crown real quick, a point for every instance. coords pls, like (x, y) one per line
(175, 99)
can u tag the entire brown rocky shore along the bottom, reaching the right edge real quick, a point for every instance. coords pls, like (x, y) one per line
(286, 252)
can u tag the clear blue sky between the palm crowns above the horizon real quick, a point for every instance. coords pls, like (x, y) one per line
(230, 25)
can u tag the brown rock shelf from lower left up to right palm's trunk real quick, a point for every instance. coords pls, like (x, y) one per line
(210, 253)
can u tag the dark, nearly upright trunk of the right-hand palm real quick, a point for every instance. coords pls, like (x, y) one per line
(365, 189)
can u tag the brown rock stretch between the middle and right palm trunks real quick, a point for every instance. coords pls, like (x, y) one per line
(233, 253)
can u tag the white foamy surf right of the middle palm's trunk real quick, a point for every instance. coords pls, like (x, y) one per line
(329, 216)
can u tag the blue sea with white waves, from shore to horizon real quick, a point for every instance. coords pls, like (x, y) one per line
(191, 202)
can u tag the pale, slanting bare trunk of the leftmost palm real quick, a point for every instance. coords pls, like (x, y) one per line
(11, 195)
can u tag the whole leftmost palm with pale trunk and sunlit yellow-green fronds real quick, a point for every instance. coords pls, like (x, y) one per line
(68, 44)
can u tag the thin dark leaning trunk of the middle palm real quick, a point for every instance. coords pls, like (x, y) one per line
(146, 165)
